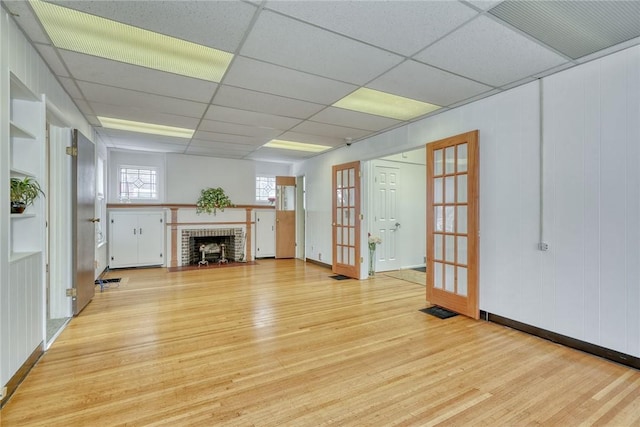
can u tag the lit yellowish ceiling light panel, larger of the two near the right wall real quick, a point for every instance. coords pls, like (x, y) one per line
(385, 104)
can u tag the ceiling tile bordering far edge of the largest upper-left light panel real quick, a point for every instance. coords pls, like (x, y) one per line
(117, 74)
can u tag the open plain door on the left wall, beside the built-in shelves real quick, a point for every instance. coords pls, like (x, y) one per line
(84, 187)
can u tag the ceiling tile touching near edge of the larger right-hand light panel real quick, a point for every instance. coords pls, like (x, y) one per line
(414, 80)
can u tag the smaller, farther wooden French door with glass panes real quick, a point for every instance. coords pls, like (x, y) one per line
(346, 219)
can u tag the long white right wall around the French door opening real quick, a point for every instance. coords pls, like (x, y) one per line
(587, 286)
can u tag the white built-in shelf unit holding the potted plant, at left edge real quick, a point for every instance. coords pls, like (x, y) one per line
(22, 312)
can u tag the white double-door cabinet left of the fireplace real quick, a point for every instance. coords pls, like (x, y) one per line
(136, 239)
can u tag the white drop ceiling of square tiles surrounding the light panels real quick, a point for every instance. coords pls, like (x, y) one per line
(293, 60)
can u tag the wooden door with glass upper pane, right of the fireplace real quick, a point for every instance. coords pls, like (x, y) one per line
(285, 217)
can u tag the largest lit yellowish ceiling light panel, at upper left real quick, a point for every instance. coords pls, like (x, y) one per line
(89, 34)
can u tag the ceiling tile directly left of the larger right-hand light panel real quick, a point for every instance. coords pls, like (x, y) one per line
(245, 99)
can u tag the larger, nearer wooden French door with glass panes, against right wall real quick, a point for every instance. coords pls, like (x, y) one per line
(452, 223)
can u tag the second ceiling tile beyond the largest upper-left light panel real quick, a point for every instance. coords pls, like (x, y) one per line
(129, 98)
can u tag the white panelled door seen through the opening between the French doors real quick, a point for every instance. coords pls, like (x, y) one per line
(386, 222)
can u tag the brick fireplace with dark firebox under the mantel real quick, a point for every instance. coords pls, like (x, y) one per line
(191, 240)
